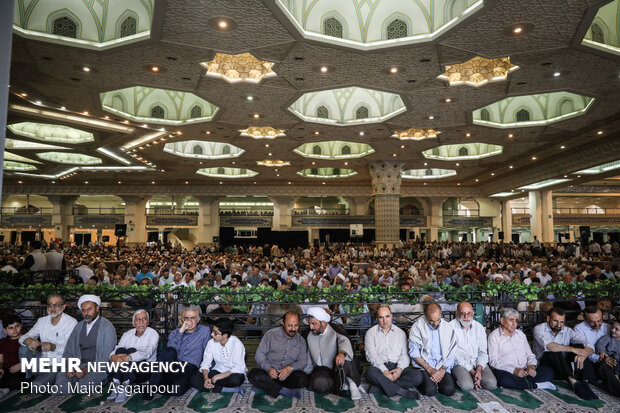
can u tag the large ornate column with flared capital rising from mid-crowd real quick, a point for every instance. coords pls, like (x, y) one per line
(386, 180)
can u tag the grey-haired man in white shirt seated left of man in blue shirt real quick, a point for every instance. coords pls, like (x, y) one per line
(138, 345)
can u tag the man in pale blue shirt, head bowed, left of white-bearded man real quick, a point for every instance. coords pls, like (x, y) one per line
(432, 347)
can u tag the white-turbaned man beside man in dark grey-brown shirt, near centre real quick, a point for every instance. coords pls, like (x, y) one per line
(332, 355)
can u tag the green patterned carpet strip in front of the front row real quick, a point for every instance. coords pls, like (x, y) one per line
(497, 401)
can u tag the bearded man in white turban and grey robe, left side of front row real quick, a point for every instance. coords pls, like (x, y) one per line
(92, 340)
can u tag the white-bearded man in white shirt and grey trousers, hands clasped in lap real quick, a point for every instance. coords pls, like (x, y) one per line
(471, 370)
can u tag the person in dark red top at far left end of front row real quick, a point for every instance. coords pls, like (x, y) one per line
(11, 376)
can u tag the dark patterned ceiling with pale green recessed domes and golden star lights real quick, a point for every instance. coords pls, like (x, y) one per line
(240, 85)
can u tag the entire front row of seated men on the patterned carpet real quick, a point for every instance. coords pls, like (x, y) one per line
(436, 355)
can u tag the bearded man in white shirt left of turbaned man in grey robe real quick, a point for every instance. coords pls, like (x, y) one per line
(48, 337)
